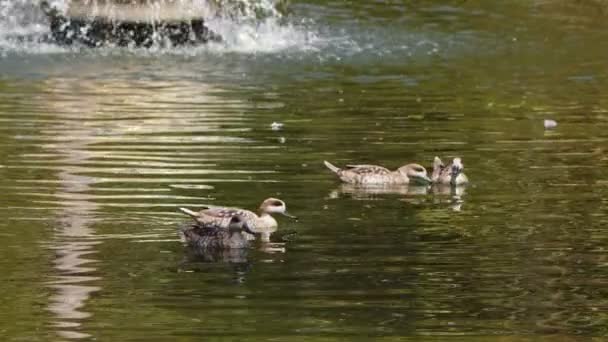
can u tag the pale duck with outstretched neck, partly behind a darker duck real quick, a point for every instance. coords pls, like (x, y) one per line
(263, 224)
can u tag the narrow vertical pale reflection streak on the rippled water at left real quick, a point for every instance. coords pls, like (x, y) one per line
(74, 243)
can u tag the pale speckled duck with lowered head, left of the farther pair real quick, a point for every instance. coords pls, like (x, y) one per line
(374, 174)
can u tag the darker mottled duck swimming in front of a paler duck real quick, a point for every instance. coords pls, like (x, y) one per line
(212, 236)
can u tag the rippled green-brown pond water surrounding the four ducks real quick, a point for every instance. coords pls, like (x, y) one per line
(99, 147)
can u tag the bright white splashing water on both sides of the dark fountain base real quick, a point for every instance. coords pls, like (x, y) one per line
(255, 26)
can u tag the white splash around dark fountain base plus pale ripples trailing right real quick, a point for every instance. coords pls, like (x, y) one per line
(249, 27)
